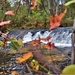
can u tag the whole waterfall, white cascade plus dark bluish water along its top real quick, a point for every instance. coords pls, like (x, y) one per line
(60, 36)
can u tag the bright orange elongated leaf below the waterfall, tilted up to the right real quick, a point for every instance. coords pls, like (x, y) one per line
(24, 57)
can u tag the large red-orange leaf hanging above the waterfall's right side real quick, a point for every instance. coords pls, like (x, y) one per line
(55, 20)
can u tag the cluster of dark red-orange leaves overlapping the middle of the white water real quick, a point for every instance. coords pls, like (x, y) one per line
(37, 42)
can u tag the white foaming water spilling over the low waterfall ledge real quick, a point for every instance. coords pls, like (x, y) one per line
(61, 37)
